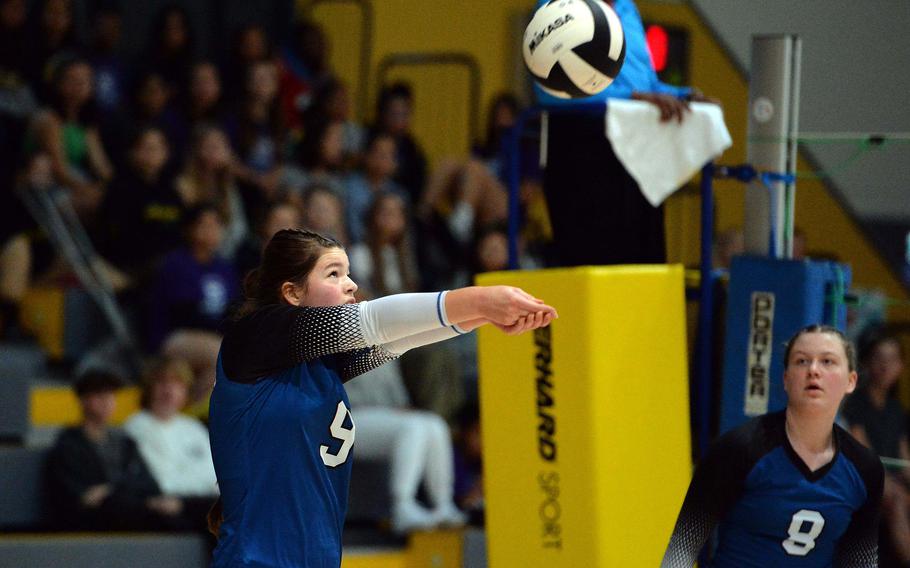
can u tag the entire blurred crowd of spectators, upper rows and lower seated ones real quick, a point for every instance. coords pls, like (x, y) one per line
(180, 168)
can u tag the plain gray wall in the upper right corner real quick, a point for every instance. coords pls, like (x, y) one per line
(856, 77)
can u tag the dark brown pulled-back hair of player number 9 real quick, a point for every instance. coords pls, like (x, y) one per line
(289, 256)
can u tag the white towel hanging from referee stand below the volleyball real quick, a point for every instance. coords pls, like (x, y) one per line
(662, 156)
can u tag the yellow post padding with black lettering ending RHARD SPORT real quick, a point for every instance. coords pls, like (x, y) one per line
(586, 423)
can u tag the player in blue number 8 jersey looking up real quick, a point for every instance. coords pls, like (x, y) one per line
(789, 488)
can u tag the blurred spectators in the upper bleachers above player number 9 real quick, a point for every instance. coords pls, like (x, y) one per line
(138, 146)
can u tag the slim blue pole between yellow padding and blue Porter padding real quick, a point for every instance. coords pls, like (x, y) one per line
(704, 353)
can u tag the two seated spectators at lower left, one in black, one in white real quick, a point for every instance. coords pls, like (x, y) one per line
(154, 474)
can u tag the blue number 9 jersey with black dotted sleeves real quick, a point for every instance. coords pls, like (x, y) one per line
(282, 435)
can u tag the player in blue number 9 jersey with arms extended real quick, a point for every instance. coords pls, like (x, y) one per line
(280, 427)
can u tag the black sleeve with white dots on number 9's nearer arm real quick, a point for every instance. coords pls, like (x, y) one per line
(277, 337)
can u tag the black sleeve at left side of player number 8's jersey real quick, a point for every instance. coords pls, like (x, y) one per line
(717, 484)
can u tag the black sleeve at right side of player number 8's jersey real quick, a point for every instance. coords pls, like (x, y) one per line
(858, 547)
